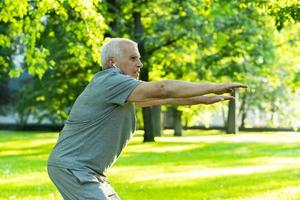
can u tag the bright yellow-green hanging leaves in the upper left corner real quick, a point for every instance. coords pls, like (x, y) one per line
(75, 25)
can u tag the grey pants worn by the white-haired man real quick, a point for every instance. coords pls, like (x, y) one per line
(78, 184)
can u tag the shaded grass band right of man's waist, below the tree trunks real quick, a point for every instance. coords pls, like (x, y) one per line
(217, 154)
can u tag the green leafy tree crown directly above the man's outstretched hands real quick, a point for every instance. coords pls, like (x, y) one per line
(230, 42)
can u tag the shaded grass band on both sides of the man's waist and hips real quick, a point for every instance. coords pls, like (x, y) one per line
(213, 155)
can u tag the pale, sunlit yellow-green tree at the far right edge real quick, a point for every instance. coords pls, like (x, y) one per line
(278, 82)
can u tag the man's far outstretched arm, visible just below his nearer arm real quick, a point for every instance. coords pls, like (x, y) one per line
(185, 101)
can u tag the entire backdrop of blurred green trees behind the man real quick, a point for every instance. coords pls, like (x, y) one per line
(53, 47)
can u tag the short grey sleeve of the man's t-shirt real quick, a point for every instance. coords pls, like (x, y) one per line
(119, 87)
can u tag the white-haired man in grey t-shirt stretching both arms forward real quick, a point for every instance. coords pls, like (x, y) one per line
(102, 119)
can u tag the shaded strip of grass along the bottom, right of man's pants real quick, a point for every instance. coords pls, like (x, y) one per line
(225, 187)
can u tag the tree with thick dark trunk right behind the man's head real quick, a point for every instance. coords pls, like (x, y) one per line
(149, 24)
